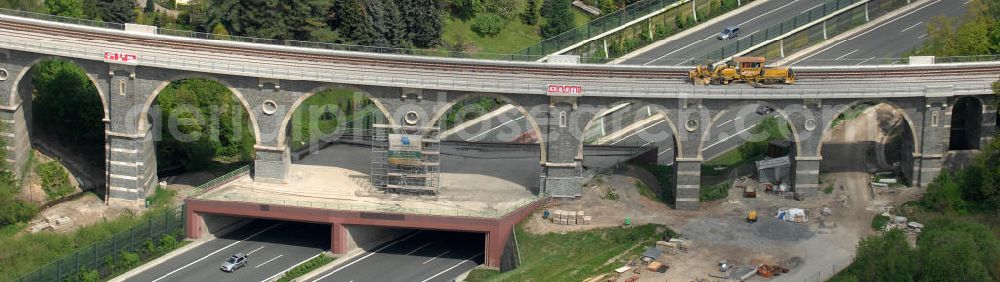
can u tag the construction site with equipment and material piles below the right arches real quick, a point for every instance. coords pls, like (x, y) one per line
(758, 231)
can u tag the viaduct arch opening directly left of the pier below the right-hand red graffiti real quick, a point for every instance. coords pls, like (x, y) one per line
(489, 138)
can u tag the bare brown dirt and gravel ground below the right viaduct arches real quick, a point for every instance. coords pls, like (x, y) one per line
(718, 231)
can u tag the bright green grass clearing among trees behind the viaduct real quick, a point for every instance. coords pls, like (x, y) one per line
(516, 35)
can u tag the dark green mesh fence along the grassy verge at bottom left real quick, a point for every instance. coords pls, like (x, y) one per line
(117, 253)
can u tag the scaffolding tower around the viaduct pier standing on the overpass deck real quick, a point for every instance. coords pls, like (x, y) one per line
(405, 159)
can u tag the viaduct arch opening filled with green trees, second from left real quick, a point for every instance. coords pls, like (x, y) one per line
(201, 129)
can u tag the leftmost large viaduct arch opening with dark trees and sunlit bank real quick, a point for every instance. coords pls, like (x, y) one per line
(63, 116)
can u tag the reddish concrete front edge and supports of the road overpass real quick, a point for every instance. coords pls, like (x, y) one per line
(497, 230)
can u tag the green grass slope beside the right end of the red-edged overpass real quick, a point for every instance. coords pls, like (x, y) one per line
(573, 256)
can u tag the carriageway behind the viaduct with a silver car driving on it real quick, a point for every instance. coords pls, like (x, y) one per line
(683, 50)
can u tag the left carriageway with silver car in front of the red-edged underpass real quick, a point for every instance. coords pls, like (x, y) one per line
(272, 247)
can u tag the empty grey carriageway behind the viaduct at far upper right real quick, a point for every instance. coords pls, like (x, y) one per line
(889, 39)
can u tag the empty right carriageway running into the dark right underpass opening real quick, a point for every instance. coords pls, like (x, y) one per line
(420, 257)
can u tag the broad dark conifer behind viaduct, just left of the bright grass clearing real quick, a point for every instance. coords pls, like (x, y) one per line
(423, 21)
